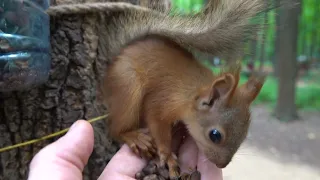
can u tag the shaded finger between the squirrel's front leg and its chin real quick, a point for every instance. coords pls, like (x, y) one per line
(188, 156)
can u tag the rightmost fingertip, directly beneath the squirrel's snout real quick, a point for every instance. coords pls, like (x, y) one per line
(208, 170)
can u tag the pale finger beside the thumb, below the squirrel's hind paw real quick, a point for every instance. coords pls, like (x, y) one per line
(124, 165)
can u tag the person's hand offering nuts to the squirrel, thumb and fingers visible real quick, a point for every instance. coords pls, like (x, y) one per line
(66, 158)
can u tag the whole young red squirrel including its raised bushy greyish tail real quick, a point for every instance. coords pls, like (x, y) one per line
(154, 81)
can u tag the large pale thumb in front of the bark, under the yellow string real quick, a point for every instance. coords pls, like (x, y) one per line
(65, 158)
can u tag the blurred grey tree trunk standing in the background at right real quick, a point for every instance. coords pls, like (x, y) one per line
(286, 108)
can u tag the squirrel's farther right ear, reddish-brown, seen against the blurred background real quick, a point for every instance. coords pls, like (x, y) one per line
(252, 87)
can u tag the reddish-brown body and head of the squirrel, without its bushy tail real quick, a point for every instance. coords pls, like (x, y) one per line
(157, 82)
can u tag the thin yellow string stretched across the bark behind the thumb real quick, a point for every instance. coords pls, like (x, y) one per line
(46, 137)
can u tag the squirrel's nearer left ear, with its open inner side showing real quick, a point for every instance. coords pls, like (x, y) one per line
(222, 88)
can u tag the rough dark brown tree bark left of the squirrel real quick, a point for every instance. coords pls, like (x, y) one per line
(69, 95)
